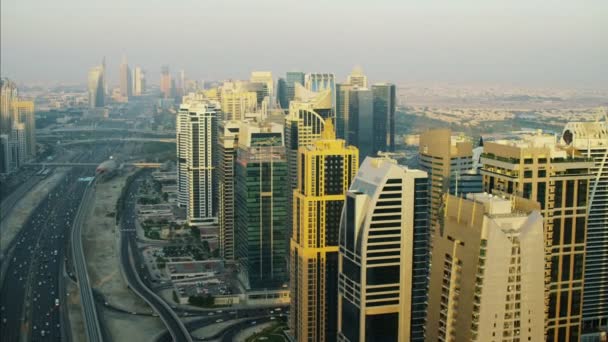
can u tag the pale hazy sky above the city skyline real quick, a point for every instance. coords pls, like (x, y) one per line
(535, 42)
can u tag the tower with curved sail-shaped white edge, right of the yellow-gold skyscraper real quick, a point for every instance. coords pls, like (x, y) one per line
(383, 254)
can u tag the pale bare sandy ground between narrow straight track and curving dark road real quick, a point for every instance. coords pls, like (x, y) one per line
(102, 254)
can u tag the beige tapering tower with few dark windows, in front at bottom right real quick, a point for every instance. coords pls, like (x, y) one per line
(487, 274)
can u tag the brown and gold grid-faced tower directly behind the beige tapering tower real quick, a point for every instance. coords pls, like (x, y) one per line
(536, 167)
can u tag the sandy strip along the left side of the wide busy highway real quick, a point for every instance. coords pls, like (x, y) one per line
(22, 210)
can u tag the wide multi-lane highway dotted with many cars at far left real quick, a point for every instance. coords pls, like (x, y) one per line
(32, 301)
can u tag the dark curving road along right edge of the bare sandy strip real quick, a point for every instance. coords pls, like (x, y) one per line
(130, 259)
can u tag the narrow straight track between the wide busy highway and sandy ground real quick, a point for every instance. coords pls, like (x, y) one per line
(87, 301)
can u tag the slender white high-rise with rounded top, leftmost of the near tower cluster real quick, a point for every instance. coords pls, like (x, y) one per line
(196, 136)
